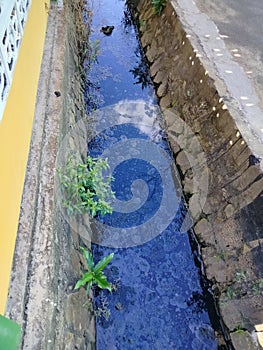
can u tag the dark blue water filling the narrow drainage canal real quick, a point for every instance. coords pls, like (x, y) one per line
(158, 301)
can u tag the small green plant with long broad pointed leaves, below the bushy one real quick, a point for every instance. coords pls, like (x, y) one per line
(94, 273)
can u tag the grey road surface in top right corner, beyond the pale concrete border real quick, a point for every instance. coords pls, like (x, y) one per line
(242, 24)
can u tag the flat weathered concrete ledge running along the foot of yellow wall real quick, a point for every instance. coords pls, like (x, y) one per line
(34, 236)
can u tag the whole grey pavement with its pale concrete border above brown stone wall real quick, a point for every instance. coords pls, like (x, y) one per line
(230, 33)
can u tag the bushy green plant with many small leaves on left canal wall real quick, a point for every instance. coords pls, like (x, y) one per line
(85, 188)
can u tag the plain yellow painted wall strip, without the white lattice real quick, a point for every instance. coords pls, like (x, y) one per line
(15, 134)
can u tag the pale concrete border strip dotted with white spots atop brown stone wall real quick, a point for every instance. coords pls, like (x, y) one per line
(206, 41)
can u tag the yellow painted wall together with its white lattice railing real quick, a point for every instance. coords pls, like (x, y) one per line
(20, 39)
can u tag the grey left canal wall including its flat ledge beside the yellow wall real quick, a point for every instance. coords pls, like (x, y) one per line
(47, 262)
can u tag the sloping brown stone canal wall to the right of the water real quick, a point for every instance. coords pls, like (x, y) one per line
(219, 158)
